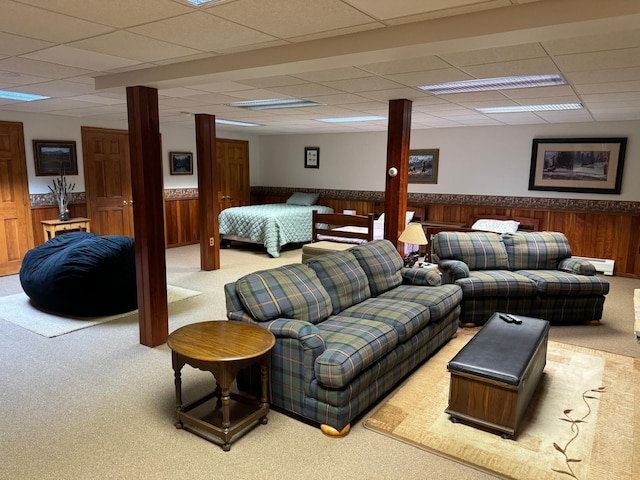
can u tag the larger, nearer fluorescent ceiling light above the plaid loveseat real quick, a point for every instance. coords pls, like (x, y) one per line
(502, 83)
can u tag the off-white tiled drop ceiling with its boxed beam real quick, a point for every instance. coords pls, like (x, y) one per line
(351, 55)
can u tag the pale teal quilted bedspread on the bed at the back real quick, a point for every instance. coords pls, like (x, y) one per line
(272, 225)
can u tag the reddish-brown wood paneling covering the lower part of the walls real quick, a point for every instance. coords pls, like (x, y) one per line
(610, 235)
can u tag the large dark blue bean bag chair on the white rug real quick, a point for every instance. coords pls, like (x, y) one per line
(82, 274)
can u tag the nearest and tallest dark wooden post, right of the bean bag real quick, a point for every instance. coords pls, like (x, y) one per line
(148, 214)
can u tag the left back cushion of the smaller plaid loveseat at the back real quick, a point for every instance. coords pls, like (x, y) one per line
(479, 250)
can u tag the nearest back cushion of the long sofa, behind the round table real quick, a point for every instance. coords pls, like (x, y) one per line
(291, 291)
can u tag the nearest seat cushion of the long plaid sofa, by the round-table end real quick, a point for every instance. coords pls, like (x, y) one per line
(351, 347)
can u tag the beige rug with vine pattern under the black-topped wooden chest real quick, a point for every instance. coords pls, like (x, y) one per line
(582, 423)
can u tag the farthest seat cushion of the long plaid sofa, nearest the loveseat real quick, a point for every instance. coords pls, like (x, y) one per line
(439, 300)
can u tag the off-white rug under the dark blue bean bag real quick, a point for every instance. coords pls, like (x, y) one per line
(19, 310)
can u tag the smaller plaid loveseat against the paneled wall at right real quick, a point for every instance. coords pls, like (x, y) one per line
(531, 274)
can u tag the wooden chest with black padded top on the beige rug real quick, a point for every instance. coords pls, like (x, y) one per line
(495, 375)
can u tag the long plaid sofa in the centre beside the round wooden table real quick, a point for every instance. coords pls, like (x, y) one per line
(348, 326)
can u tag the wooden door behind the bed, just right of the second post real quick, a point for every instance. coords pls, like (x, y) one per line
(232, 181)
